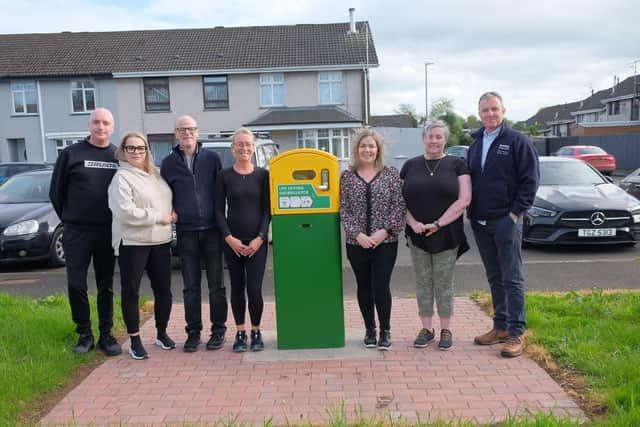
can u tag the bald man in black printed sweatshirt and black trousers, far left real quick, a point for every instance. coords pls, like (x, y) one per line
(78, 193)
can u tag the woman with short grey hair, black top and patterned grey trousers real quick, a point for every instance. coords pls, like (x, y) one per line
(436, 190)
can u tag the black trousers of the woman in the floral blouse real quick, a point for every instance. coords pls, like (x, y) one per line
(372, 268)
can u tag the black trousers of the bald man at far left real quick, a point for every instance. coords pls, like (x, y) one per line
(81, 244)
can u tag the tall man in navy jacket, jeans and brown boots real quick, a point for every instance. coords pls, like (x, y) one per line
(504, 176)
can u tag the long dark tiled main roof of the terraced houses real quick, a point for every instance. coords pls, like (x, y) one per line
(219, 48)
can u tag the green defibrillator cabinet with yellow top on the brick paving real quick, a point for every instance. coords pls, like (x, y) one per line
(307, 262)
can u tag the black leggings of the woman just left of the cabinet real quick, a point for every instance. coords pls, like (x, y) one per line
(246, 273)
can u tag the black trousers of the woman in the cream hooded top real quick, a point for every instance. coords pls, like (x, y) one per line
(133, 261)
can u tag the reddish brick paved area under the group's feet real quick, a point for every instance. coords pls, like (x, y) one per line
(208, 387)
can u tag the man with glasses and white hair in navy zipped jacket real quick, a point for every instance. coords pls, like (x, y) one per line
(191, 173)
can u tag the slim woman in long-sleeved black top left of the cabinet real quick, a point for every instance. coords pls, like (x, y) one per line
(243, 189)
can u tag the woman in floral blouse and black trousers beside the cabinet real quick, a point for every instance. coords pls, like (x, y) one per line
(372, 213)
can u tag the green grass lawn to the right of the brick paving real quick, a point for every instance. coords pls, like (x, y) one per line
(598, 335)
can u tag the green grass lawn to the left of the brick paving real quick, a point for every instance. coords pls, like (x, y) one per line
(36, 338)
